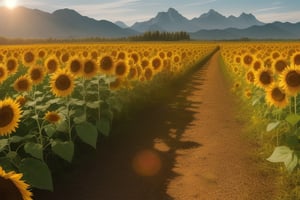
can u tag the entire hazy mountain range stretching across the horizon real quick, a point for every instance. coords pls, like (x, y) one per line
(68, 24)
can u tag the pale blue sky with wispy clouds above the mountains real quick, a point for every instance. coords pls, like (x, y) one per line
(130, 11)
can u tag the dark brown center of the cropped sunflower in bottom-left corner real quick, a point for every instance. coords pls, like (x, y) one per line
(8, 190)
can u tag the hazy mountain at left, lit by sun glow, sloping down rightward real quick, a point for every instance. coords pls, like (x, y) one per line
(65, 23)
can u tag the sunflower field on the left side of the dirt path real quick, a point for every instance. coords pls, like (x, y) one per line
(52, 95)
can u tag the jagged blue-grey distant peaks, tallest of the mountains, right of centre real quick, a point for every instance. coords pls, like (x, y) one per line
(172, 20)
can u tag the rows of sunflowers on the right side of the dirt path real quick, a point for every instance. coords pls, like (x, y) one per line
(267, 76)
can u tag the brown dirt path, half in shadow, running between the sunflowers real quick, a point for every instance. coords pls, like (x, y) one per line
(195, 141)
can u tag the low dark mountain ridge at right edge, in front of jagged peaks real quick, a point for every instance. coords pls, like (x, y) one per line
(276, 30)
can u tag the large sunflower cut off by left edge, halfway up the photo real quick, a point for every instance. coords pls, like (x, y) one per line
(10, 114)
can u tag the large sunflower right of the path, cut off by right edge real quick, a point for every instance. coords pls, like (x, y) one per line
(289, 80)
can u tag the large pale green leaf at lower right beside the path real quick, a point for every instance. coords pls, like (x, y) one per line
(286, 155)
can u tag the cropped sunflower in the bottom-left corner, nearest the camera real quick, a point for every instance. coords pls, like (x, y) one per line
(12, 187)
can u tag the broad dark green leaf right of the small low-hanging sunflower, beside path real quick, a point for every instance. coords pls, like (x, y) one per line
(87, 132)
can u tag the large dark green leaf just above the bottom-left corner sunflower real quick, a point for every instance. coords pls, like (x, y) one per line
(36, 173)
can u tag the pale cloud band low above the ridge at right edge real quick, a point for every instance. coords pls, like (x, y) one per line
(283, 16)
